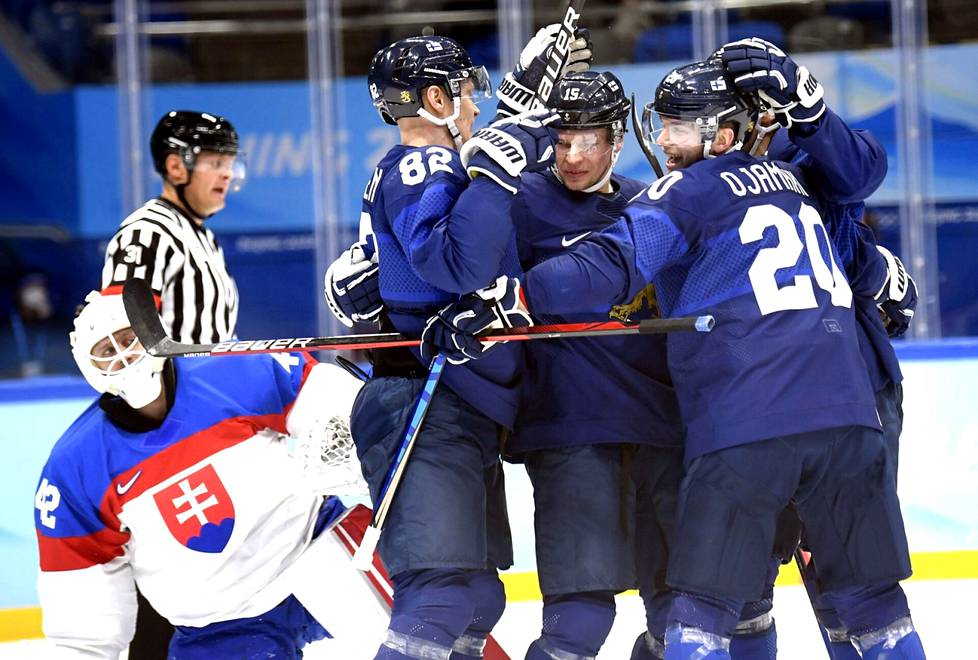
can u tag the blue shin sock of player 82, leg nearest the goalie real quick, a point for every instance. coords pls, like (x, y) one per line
(431, 610)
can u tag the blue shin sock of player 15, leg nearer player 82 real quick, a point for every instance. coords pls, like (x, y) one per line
(574, 626)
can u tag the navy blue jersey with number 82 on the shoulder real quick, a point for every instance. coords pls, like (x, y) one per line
(434, 244)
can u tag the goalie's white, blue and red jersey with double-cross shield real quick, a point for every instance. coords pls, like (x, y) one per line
(205, 513)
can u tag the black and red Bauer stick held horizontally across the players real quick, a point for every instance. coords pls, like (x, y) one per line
(141, 310)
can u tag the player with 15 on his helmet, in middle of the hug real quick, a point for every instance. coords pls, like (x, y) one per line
(600, 412)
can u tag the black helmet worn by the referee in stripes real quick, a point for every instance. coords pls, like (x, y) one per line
(187, 133)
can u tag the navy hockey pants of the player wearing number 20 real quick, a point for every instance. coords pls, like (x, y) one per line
(842, 483)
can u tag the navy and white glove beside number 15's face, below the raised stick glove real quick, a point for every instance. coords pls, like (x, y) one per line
(508, 147)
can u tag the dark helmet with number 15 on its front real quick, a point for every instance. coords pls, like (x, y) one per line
(589, 99)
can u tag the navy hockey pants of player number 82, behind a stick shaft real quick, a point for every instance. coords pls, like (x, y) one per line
(450, 507)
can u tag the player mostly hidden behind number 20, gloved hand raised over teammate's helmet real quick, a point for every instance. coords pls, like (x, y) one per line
(848, 165)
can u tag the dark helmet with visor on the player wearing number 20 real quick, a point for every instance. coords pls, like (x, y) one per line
(705, 94)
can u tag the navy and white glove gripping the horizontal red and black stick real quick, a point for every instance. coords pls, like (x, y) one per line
(454, 329)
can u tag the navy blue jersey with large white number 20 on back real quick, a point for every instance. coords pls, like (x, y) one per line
(740, 238)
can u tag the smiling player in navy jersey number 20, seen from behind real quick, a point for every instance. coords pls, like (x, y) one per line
(776, 400)
